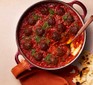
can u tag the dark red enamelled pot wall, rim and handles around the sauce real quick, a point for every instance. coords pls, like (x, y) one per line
(68, 5)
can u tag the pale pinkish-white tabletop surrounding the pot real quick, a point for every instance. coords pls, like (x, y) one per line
(10, 12)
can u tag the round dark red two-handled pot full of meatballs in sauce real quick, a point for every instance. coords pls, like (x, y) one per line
(54, 15)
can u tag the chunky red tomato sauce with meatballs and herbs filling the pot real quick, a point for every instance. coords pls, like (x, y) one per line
(43, 31)
